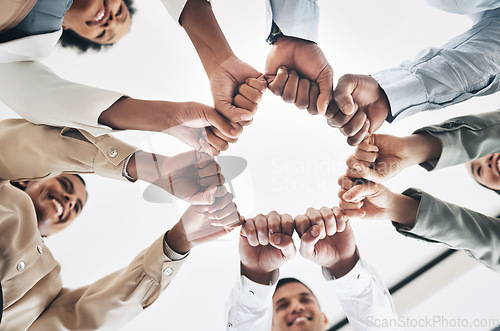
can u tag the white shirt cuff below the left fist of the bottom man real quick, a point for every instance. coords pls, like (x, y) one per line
(253, 294)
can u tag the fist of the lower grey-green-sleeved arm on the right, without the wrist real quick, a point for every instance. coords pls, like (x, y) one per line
(361, 198)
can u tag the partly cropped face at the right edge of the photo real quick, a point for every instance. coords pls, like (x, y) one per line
(486, 170)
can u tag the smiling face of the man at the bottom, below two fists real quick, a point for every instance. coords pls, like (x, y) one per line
(296, 308)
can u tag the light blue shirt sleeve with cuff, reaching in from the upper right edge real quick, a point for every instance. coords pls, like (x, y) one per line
(467, 66)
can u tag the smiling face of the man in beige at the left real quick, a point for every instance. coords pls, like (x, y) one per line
(57, 201)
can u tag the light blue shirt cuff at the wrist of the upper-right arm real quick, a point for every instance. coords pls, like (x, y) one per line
(405, 92)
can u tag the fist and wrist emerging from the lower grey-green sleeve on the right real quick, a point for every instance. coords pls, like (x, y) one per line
(360, 198)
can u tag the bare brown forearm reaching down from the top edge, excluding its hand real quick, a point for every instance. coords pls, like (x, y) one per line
(200, 24)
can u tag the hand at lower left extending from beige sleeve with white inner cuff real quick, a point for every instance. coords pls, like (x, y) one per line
(196, 225)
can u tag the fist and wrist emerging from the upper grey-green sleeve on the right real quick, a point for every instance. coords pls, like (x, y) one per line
(380, 157)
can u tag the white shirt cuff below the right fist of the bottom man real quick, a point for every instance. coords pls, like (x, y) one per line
(353, 283)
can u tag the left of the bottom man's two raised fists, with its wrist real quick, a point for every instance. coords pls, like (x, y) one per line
(265, 245)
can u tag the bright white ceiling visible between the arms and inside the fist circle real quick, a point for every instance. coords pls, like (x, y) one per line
(293, 158)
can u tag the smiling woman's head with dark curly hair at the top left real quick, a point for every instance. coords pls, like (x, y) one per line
(108, 24)
